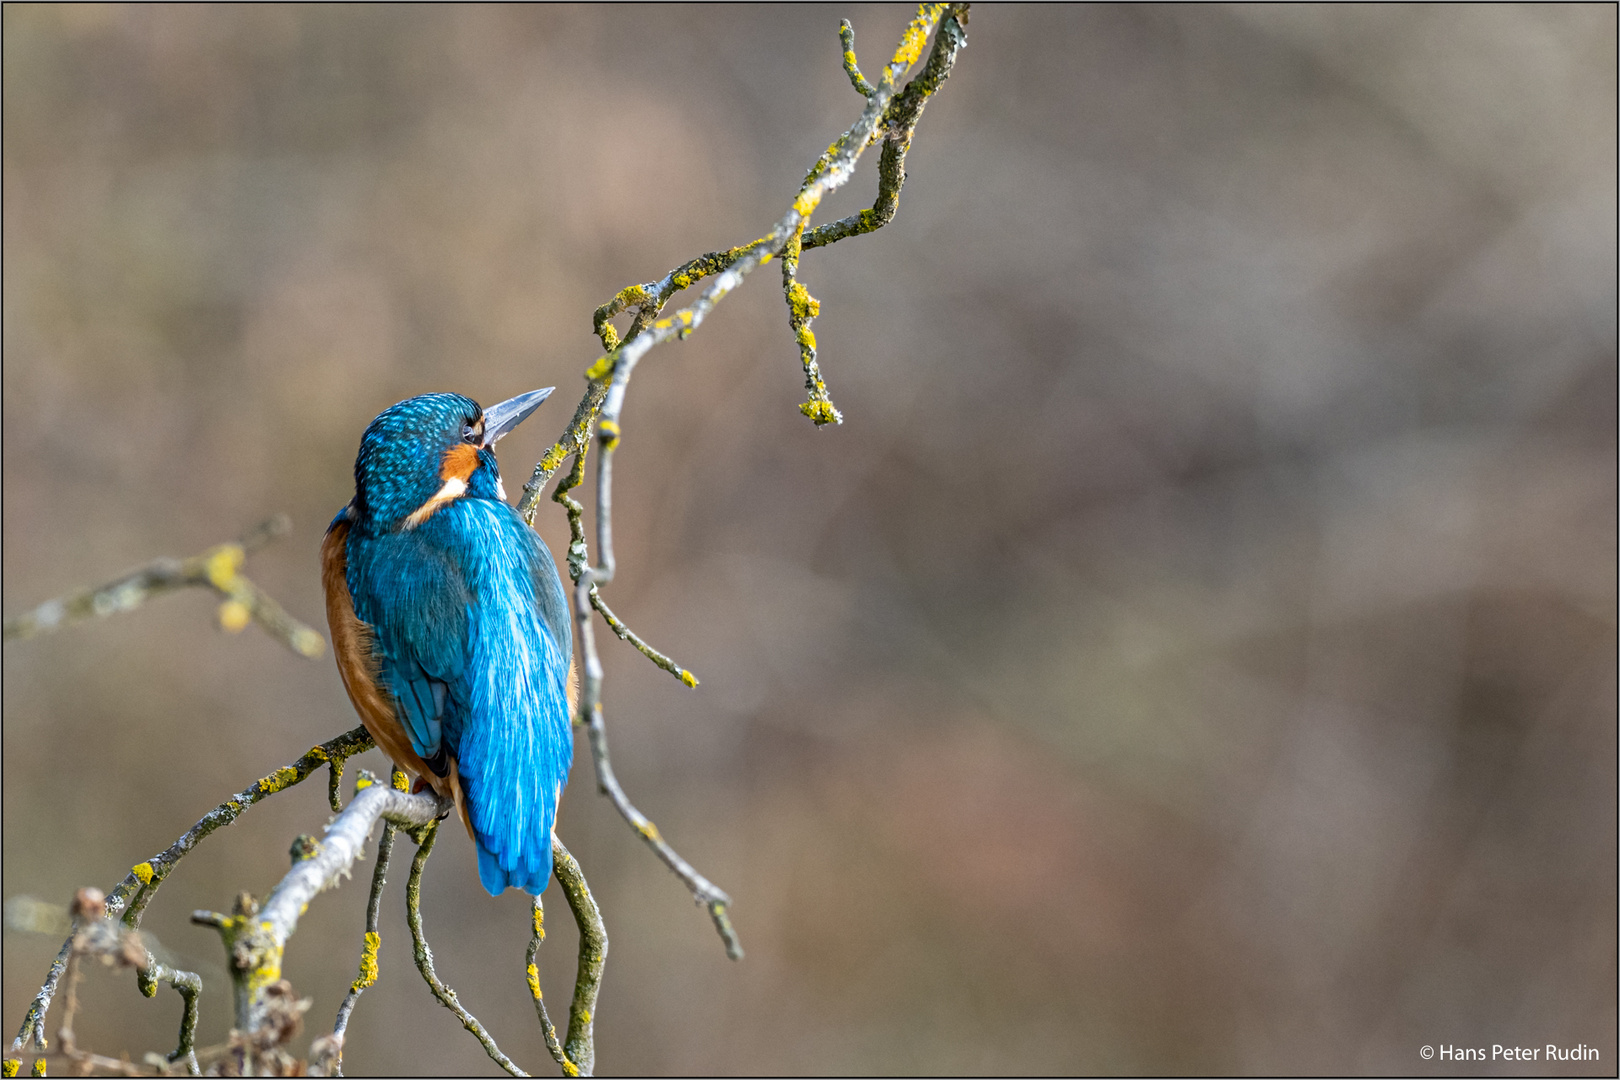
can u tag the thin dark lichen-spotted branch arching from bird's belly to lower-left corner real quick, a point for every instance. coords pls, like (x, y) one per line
(142, 883)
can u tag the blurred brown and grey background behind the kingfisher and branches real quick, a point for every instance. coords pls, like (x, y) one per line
(1195, 653)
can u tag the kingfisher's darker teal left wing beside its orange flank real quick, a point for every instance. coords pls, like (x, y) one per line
(417, 598)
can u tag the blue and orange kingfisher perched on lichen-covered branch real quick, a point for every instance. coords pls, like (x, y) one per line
(451, 627)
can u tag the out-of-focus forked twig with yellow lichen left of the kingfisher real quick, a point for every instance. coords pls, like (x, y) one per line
(218, 569)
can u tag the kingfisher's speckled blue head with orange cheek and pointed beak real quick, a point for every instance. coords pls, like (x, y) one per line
(430, 451)
